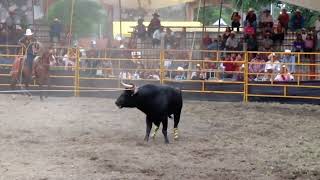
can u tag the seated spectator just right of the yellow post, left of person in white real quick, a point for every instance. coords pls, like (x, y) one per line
(256, 65)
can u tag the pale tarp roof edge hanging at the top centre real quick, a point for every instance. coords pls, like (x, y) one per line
(146, 4)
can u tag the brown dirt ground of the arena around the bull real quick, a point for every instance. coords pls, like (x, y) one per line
(90, 139)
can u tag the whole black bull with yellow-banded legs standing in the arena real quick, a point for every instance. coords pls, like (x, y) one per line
(157, 102)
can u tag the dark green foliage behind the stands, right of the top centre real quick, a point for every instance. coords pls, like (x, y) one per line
(212, 14)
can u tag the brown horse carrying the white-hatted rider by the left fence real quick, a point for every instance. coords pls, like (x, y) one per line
(20, 73)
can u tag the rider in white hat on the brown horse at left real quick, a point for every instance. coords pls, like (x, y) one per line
(30, 48)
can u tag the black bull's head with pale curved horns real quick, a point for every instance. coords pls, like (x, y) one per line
(127, 98)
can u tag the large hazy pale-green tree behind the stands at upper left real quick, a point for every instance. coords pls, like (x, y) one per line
(86, 18)
